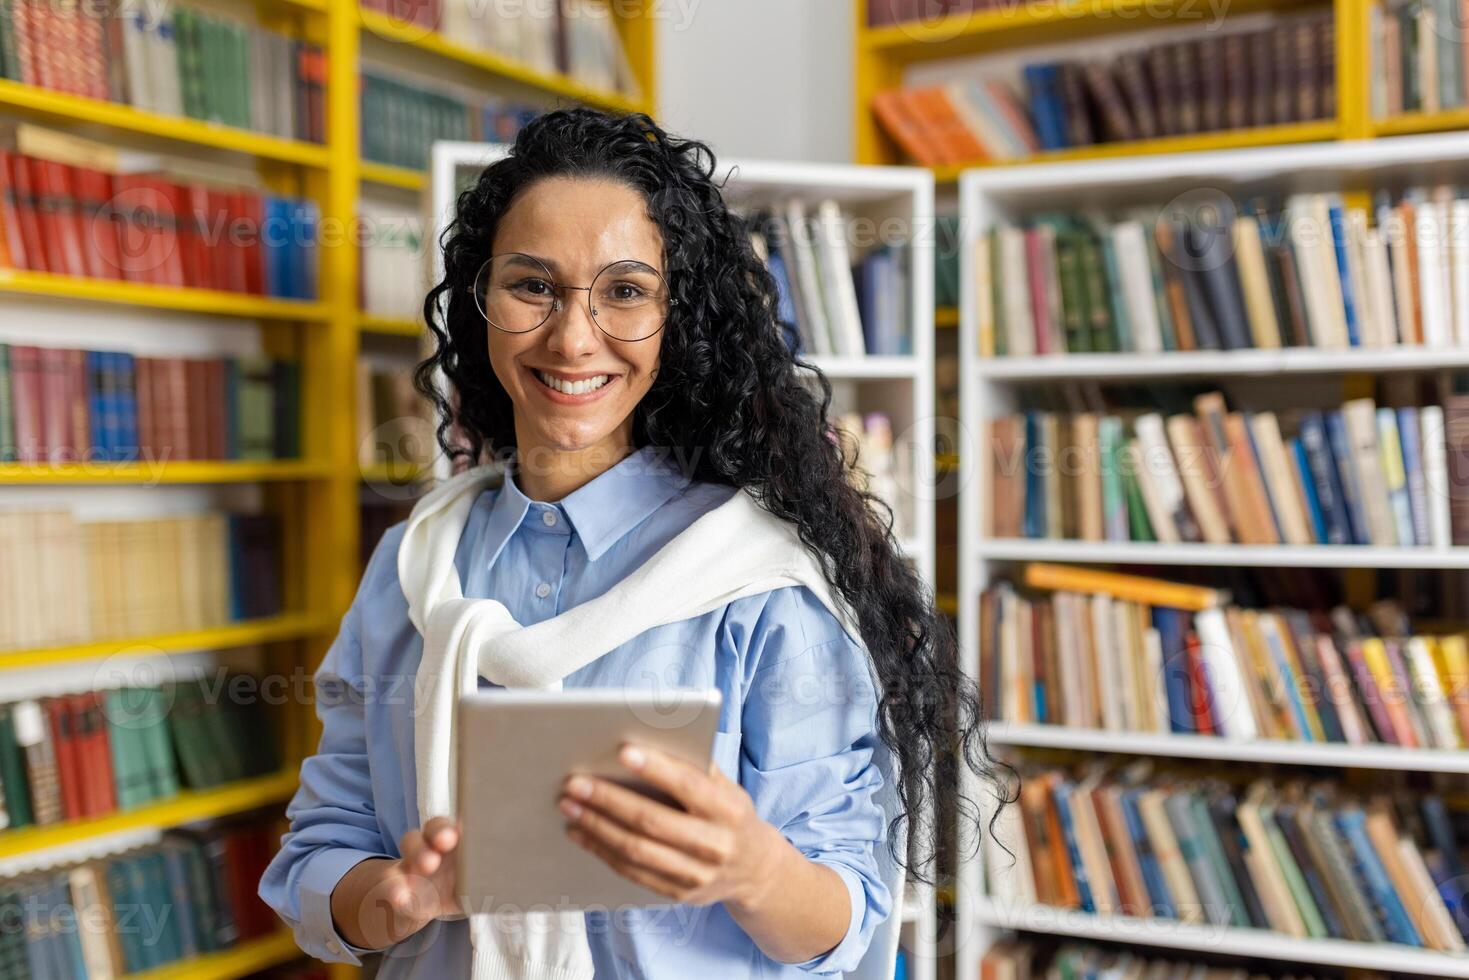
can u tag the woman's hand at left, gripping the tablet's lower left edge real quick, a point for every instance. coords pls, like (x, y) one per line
(380, 903)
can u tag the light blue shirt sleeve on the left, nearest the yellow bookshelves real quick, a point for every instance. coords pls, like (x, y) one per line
(333, 824)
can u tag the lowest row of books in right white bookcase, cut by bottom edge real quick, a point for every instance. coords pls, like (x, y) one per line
(1022, 960)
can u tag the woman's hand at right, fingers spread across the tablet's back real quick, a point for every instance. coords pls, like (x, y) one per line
(715, 850)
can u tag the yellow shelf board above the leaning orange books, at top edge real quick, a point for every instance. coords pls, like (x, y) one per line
(1014, 24)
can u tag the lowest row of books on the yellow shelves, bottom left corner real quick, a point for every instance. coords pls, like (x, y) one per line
(193, 893)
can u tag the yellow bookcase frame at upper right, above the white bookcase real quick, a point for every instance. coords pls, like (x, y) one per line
(882, 55)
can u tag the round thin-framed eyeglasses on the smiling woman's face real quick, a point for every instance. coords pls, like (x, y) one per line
(628, 300)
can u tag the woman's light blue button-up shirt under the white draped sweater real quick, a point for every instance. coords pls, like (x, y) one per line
(797, 731)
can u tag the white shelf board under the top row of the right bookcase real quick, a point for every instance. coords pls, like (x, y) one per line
(1291, 361)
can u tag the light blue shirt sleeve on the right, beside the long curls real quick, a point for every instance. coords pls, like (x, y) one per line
(807, 760)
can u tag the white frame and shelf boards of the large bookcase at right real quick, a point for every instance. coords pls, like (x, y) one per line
(991, 387)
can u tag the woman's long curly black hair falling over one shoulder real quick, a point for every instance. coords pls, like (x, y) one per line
(728, 399)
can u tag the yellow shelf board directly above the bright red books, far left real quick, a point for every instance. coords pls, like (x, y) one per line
(61, 107)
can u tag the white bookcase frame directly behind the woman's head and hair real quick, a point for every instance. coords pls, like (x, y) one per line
(900, 387)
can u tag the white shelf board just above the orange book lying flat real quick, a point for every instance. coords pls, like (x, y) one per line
(1236, 556)
